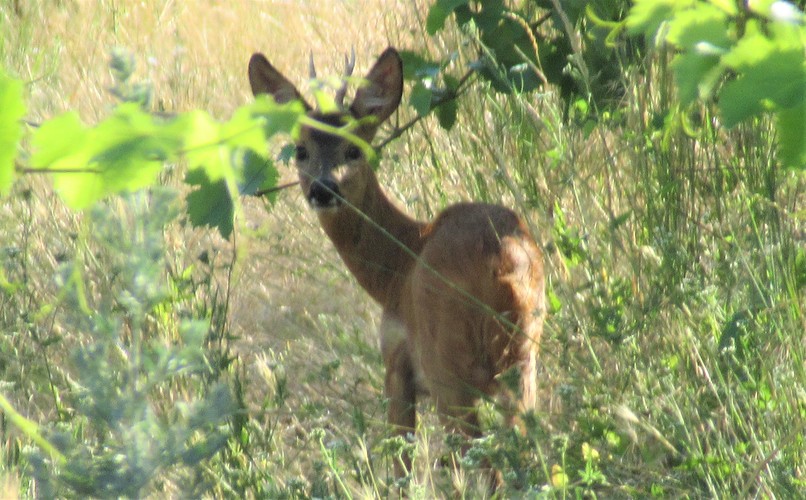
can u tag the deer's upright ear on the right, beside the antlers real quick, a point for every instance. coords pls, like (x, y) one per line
(383, 87)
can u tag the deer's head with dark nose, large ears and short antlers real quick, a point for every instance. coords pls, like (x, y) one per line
(333, 171)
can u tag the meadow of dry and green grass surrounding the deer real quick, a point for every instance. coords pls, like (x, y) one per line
(673, 357)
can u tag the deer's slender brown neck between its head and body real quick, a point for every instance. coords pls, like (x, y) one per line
(376, 241)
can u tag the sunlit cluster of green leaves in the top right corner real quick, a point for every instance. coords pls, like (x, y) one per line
(749, 58)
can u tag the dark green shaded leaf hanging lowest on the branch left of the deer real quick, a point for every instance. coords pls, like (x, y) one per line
(211, 204)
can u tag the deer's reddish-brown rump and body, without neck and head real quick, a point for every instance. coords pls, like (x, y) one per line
(472, 311)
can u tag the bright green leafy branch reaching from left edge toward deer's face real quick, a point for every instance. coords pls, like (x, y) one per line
(127, 151)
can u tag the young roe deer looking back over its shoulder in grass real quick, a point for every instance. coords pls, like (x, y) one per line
(462, 296)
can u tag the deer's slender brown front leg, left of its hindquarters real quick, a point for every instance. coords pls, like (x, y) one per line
(399, 386)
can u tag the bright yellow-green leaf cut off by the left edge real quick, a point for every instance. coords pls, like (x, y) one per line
(12, 109)
